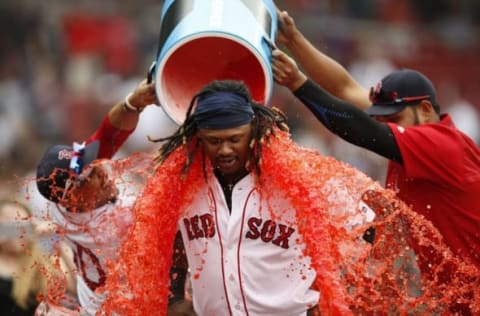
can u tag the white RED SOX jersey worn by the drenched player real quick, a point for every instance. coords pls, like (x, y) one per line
(249, 260)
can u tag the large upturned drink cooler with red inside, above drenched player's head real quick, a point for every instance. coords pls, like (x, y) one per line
(201, 41)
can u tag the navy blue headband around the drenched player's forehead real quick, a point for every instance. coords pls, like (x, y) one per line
(222, 110)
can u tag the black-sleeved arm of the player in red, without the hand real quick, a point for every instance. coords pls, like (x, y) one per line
(349, 122)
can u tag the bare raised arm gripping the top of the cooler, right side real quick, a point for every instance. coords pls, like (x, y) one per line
(322, 69)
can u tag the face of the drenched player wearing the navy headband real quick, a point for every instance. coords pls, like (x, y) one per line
(227, 149)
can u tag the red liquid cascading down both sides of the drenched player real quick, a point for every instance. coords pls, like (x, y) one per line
(353, 277)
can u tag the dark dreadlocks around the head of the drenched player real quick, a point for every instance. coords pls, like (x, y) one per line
(264, 123)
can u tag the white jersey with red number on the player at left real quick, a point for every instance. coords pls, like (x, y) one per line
(95, 238)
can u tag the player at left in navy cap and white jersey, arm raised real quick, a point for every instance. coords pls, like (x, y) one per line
(92, 210)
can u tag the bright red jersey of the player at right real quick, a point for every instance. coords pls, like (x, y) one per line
(440, 179)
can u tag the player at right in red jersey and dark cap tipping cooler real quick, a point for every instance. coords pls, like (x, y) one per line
(405, 125)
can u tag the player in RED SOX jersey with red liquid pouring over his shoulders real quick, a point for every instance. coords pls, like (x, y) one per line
(239, 217)
